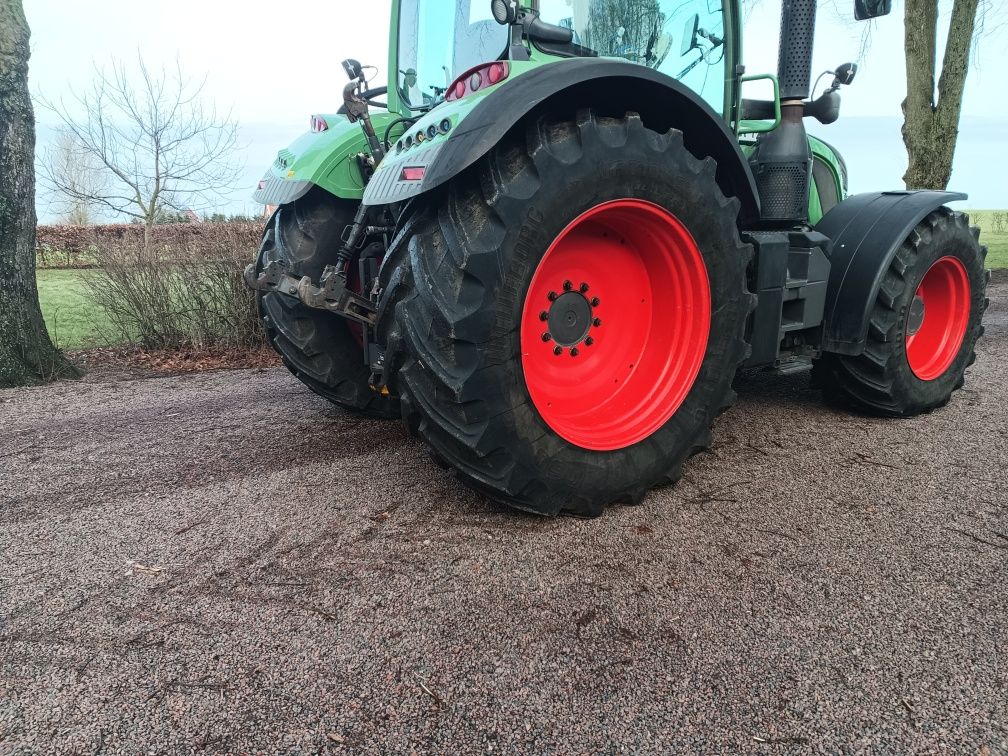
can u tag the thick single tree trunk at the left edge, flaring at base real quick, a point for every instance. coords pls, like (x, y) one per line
(27, 353)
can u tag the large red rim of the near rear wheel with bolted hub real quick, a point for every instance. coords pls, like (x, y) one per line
(635, 273)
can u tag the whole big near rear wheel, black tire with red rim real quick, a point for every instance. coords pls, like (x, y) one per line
(565, 320)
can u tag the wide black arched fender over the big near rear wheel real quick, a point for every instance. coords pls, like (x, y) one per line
(610, 87)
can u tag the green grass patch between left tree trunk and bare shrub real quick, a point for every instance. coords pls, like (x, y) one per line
(74, 323)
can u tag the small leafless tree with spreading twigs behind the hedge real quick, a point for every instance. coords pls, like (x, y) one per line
(156, 145)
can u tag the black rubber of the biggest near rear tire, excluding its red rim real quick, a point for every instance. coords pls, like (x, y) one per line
(455, 285)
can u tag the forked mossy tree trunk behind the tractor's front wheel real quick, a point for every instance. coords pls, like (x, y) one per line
(931, 129)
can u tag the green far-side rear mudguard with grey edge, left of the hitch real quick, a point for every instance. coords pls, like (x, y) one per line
(326, 159)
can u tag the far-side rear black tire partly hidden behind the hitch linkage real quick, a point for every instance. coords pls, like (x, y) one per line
(319, 348)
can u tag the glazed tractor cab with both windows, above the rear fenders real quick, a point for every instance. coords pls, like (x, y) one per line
(687, 41)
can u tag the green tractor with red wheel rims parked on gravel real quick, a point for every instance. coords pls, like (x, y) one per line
(553, 240)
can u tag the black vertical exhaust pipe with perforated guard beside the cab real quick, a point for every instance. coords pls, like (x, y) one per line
(783, 161)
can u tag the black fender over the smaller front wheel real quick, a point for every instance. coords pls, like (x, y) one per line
(866, 231)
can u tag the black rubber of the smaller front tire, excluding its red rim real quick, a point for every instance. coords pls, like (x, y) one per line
(880, 381)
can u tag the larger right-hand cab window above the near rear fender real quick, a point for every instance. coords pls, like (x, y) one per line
(684, 39)
